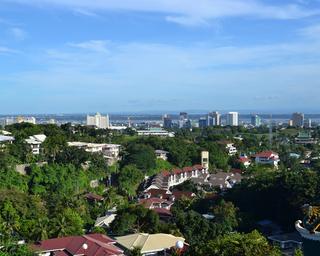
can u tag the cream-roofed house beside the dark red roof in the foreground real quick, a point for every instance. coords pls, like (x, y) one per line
(150, 244)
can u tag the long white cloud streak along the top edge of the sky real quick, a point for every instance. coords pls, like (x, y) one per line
(188, 12)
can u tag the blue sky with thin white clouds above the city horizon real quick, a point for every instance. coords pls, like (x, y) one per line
(81, 56)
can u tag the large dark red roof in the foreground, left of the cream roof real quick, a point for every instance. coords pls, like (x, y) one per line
(86, 245)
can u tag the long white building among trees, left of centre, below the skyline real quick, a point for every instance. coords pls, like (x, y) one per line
(111, 152)
